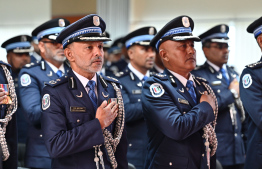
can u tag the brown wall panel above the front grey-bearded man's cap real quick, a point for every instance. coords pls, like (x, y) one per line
(73, 7)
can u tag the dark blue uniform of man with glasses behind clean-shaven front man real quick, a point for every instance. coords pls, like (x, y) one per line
(230, 149)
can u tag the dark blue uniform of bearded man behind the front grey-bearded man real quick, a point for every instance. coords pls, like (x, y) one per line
(32, 79)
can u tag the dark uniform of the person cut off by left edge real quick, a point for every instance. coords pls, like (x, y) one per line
(11, 129)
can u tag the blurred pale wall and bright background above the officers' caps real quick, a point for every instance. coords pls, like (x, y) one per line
(122, 16)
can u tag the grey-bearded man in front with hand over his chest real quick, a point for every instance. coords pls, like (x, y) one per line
(82, 124)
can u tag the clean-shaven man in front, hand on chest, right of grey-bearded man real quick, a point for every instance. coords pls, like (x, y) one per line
(177, 107)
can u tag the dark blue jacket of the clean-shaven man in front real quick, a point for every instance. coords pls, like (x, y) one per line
(175, 124)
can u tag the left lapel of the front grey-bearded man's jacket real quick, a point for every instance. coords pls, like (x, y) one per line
(79, 93)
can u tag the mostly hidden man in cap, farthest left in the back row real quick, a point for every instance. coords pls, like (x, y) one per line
(18, 49)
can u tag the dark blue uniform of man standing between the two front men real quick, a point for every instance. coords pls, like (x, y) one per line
(135, 123)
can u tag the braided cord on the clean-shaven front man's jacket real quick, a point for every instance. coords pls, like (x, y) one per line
(209, 130)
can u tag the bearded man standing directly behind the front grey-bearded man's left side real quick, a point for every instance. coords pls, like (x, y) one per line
(33, 78)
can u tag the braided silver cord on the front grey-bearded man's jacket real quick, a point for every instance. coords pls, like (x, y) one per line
(110, 141)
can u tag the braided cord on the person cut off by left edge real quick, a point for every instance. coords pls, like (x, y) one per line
(11, 108)
